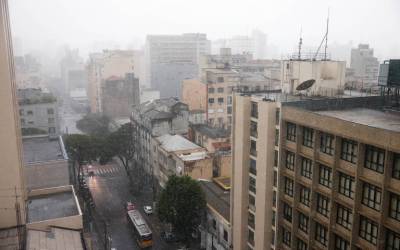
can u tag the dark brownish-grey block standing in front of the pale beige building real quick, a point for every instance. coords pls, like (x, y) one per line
(119, 95)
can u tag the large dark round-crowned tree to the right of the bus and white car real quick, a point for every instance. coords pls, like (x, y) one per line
(182, 204)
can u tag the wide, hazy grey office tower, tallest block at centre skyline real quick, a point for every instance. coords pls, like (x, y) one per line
(172, 58)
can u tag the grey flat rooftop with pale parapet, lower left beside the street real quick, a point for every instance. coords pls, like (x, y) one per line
(51, 206)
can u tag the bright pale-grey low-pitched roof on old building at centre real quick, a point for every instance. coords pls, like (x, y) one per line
(172, 143)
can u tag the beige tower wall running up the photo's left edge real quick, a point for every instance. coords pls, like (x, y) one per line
(12, 190)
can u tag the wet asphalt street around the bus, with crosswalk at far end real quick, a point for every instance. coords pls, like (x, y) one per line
(110, 190)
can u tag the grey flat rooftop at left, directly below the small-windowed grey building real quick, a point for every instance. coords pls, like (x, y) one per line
(42, 149)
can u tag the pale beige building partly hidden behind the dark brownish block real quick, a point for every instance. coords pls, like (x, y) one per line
(103, 65)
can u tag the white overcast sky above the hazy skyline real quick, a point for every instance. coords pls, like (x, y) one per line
(80, 23)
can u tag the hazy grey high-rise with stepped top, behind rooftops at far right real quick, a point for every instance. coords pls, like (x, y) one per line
(365, 66)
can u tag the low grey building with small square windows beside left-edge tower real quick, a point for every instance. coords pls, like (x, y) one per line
(38, 112)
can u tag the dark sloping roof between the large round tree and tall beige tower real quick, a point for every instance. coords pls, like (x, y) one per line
(217, 198)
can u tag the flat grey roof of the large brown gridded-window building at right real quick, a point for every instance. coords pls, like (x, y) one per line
(369, 117)
